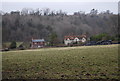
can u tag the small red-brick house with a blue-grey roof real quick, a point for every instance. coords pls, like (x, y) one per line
(37, 43)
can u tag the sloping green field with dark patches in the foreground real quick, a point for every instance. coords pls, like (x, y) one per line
(85, 62)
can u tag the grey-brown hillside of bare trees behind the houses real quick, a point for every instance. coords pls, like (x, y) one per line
(22, 26)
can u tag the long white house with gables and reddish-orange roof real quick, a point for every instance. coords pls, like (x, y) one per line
(74, 39)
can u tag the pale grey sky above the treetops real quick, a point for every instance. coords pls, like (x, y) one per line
(68, 7)
